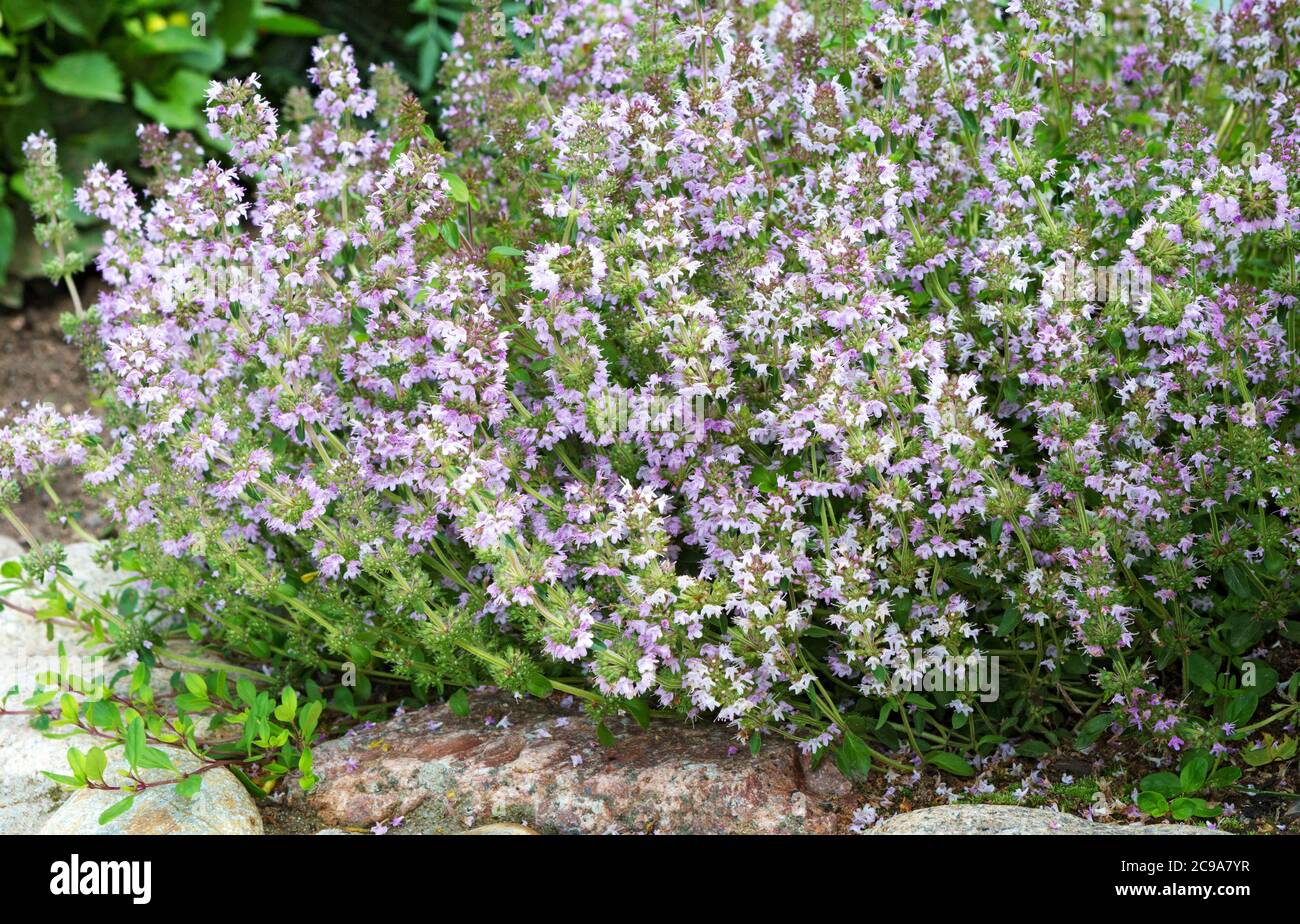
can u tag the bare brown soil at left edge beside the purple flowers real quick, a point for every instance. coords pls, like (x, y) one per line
(38, 366)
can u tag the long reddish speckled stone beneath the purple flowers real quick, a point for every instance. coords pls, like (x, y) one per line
(545, 769)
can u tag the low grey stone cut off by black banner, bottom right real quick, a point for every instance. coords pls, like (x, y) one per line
(1016, 821)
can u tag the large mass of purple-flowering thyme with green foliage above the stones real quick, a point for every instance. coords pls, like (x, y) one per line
(744, 363)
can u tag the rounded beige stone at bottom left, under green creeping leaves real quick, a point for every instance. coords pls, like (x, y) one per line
(222, 808)
